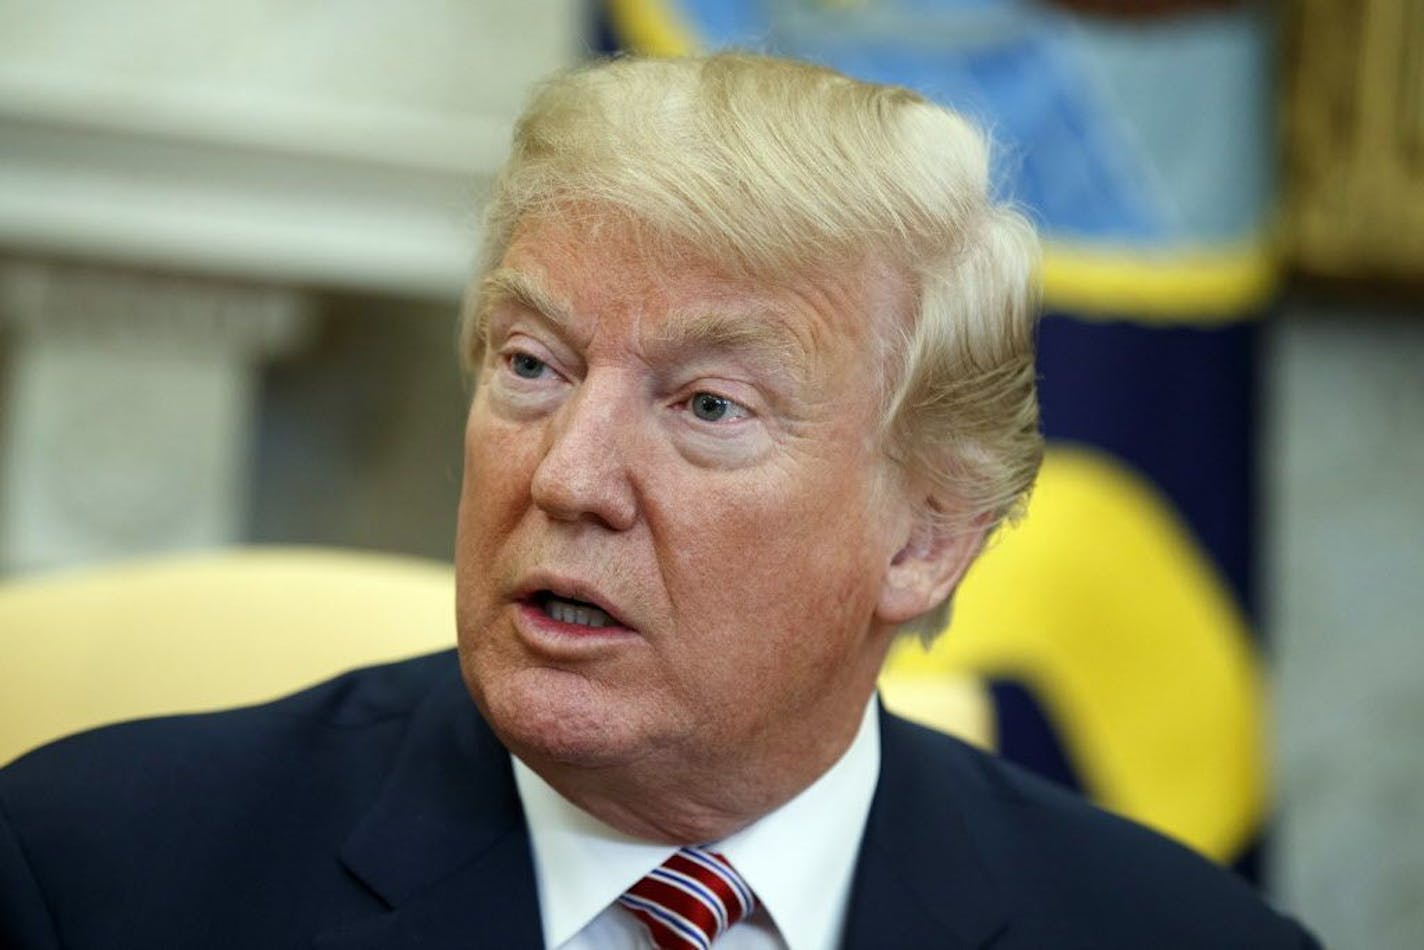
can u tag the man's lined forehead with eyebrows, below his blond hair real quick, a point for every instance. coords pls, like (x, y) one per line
(587, 271)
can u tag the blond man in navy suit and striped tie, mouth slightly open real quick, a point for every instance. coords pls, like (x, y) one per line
(755, 382)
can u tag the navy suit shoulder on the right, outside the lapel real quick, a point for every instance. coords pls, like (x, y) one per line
(1120, 884)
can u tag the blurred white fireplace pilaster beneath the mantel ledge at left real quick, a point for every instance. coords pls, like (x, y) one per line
(129, 409)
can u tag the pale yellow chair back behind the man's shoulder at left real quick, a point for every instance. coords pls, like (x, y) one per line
(204, 632)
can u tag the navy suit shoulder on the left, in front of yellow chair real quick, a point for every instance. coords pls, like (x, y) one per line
(217, 830)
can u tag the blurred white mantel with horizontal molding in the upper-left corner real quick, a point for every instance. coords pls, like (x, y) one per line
(335, 147)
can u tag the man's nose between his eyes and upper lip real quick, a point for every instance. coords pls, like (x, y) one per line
(585, 472)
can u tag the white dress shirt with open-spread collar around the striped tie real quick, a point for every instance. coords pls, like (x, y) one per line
(800, 861)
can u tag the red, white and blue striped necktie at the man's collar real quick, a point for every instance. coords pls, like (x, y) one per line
(690, 901)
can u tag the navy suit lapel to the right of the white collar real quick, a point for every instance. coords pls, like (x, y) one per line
(919, 879)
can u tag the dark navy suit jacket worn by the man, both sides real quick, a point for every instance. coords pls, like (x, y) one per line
(378, 811)
